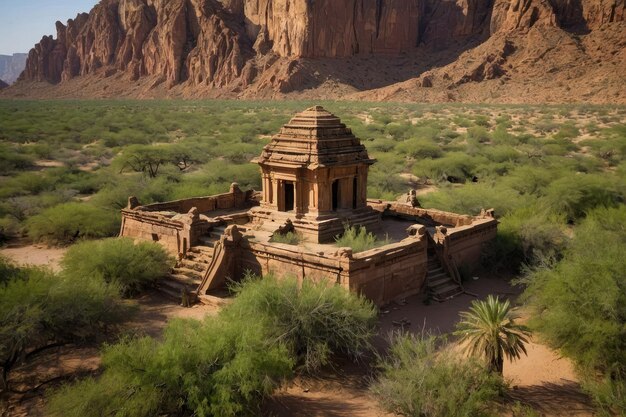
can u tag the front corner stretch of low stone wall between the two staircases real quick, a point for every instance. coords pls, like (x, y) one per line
(381, 274)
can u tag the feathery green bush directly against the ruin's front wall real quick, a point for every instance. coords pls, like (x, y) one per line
(315, 321)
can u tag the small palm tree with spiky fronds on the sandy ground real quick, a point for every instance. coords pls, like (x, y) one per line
(489, 329)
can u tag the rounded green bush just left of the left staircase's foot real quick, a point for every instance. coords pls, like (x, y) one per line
(130, 266)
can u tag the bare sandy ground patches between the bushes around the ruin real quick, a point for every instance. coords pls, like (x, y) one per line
(542, 379)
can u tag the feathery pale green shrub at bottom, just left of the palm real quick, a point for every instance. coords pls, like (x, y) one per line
(419, 379)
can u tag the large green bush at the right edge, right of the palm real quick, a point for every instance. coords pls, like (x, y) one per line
(581, 303)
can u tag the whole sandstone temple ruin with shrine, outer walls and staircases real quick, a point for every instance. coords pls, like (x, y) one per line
(314, 177)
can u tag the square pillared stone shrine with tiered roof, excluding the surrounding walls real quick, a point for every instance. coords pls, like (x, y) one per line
(315, 173)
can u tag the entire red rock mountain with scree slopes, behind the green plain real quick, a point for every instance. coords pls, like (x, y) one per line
(425, 50)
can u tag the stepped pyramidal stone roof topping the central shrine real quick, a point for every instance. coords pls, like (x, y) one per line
(314, 139)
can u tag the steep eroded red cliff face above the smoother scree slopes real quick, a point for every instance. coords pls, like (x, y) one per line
(234, 44)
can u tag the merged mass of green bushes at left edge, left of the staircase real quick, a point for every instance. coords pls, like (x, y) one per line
(83, 304)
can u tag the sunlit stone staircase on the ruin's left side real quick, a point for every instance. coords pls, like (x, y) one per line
(187, 275)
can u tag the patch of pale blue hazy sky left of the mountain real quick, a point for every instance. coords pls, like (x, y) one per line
(24, 22)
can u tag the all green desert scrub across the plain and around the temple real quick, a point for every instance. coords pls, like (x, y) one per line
(555, 175)
